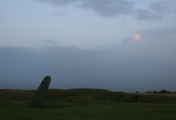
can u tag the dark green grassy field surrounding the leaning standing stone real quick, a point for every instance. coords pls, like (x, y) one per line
(86, 104)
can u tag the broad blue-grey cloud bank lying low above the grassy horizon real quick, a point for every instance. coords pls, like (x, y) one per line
(126, 67)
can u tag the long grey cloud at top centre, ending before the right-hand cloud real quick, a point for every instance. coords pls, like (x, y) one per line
(107, 8)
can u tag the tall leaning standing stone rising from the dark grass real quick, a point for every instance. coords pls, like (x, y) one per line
(38, 99)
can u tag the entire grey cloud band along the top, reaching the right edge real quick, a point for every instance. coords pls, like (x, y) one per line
(111, 8)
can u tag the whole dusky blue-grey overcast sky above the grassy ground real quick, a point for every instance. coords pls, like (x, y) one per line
(122, 45)
